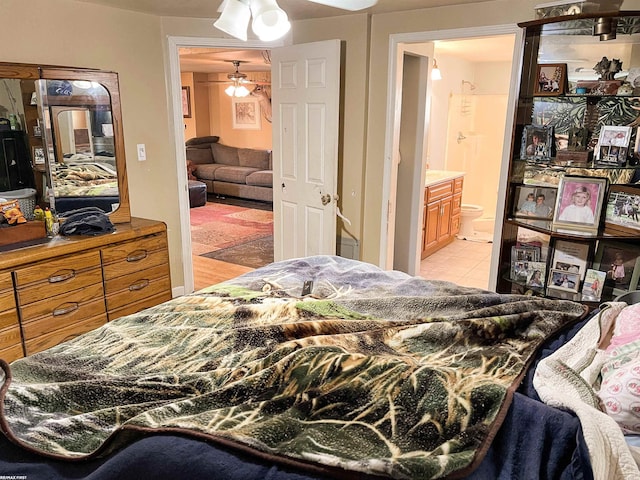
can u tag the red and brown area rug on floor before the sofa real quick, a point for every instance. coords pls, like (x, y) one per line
(220, 226)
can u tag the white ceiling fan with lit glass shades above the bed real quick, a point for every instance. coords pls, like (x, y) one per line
(270, 22)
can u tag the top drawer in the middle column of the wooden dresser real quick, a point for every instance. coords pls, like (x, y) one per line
(57, 271)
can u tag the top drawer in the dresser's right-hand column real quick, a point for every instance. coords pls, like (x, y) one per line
(134, 256)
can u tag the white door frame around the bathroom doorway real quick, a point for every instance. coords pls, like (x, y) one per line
(394, 99)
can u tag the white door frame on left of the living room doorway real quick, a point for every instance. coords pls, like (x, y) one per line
(174, 90)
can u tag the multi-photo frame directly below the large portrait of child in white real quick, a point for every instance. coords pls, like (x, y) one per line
(568, 265)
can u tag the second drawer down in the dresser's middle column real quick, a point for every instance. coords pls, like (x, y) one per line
(66, 308)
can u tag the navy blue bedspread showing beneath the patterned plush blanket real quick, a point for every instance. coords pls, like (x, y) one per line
(534, 442)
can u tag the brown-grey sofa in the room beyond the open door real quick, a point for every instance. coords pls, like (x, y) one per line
(230, 171)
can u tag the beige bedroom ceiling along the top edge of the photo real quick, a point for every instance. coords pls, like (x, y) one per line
(296, 9)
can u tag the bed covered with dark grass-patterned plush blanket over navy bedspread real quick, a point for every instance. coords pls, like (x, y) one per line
(311, 368)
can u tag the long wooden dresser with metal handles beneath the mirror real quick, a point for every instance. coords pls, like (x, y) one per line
(52, 292)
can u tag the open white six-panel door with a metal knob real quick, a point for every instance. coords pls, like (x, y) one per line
(305, 96)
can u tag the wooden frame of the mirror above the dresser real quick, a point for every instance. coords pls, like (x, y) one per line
(25, 71)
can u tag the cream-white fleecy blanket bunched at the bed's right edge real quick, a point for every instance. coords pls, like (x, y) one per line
(570, 378)
